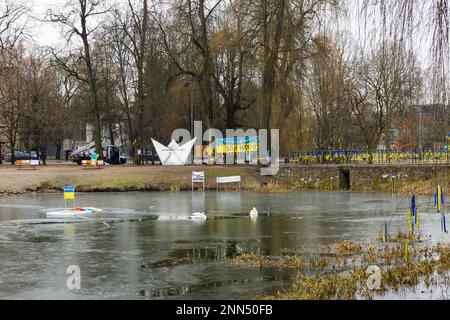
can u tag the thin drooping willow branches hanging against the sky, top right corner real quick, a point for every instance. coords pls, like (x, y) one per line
(413, 22)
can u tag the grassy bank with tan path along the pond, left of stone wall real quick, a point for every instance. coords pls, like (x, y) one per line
(129, 178)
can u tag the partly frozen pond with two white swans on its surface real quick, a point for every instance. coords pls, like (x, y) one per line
(143, 246)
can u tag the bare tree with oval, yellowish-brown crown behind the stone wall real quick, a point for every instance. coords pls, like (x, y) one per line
(380, 90)
